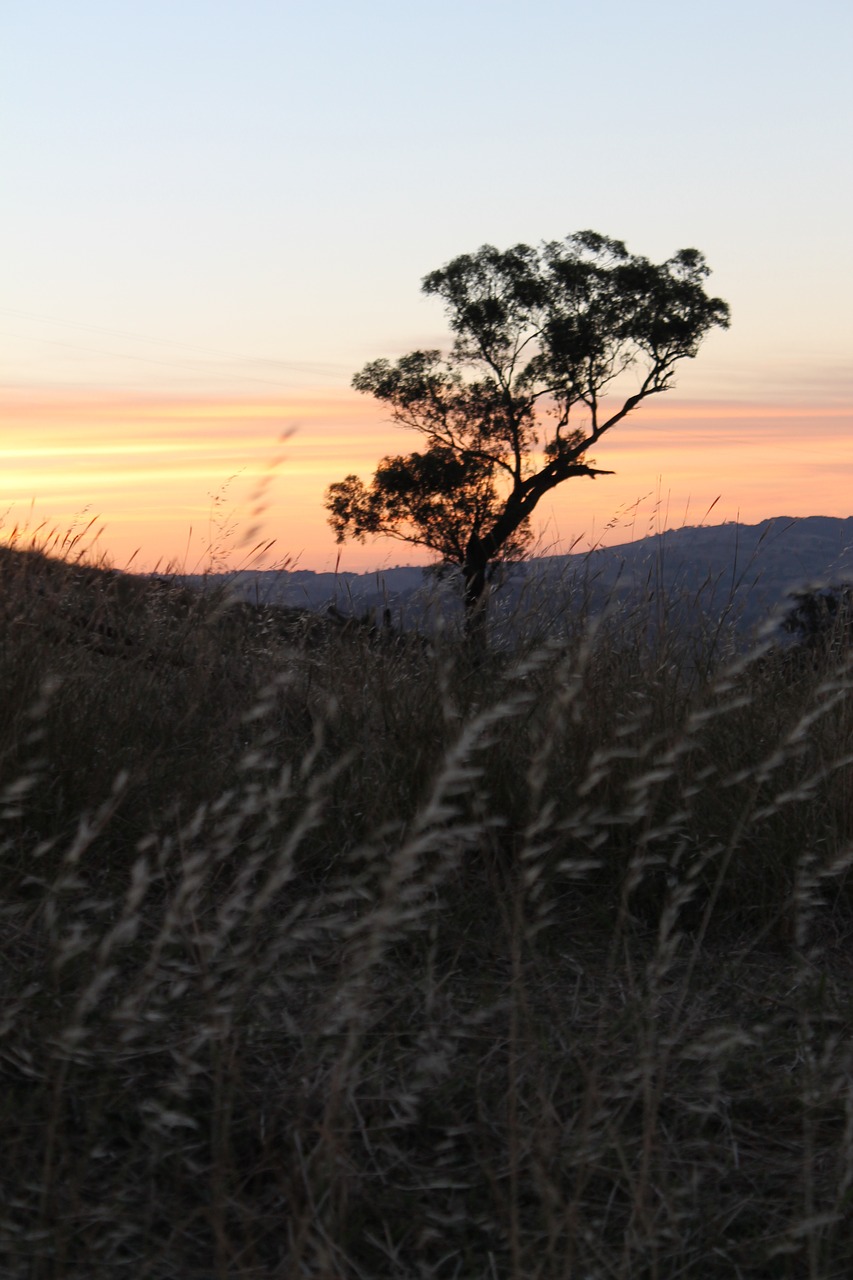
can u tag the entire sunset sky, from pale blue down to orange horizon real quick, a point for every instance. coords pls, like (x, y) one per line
(215, 213)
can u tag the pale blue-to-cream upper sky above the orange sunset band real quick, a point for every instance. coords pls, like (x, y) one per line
(272, 180)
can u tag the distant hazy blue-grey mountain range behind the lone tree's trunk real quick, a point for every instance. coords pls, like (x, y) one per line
(742, 570)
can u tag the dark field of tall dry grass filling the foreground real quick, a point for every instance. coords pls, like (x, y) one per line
(343, 959)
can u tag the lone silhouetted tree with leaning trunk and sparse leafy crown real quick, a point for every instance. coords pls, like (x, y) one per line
(542, 337)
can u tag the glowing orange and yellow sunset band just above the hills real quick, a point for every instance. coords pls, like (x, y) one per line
(154, 468)
